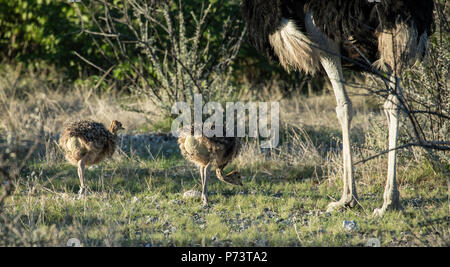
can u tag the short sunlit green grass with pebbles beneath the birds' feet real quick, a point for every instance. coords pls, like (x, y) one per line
(139, 203)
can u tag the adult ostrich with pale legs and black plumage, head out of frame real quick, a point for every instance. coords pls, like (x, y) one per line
(314, 35)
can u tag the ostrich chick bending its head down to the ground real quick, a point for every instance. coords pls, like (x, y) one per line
(207, 151)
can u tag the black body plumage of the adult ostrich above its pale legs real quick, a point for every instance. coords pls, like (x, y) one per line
(340, 21)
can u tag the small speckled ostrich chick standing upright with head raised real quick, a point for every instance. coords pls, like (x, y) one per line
(87, 143)
